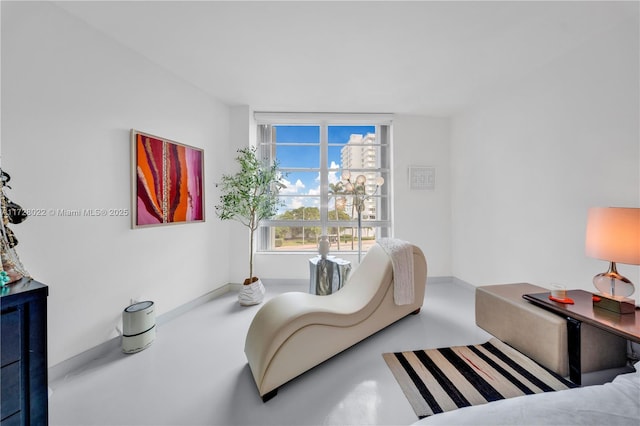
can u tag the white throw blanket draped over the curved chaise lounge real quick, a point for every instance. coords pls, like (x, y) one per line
(401, 254)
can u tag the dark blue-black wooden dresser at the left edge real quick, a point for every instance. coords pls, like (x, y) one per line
(23, 347)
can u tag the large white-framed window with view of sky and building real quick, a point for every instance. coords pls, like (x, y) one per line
(313, 153)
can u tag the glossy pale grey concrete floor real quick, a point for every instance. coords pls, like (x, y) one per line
(196, 373)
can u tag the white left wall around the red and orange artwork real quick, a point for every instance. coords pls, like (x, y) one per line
(69, 98)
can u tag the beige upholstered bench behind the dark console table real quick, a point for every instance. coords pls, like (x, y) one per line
(540, 334)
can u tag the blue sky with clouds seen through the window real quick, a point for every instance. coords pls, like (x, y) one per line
(308, 156)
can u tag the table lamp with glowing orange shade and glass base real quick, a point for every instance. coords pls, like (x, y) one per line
(613, 234)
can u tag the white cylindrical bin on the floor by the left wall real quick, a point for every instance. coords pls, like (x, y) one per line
(138, 327)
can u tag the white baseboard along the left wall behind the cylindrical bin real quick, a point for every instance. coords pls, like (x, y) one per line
(112, 348)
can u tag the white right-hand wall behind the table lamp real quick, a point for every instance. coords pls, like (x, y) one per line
(528, 164)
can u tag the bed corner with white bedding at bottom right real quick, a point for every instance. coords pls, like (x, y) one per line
(615, 403)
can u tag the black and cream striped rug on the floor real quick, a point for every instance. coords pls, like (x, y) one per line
(438, 380)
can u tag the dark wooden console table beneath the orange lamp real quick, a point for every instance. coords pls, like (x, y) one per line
(624, 325)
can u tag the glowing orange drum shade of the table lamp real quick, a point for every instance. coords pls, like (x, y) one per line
(613, 234)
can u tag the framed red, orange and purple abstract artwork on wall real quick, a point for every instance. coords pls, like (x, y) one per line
(168, 181)
